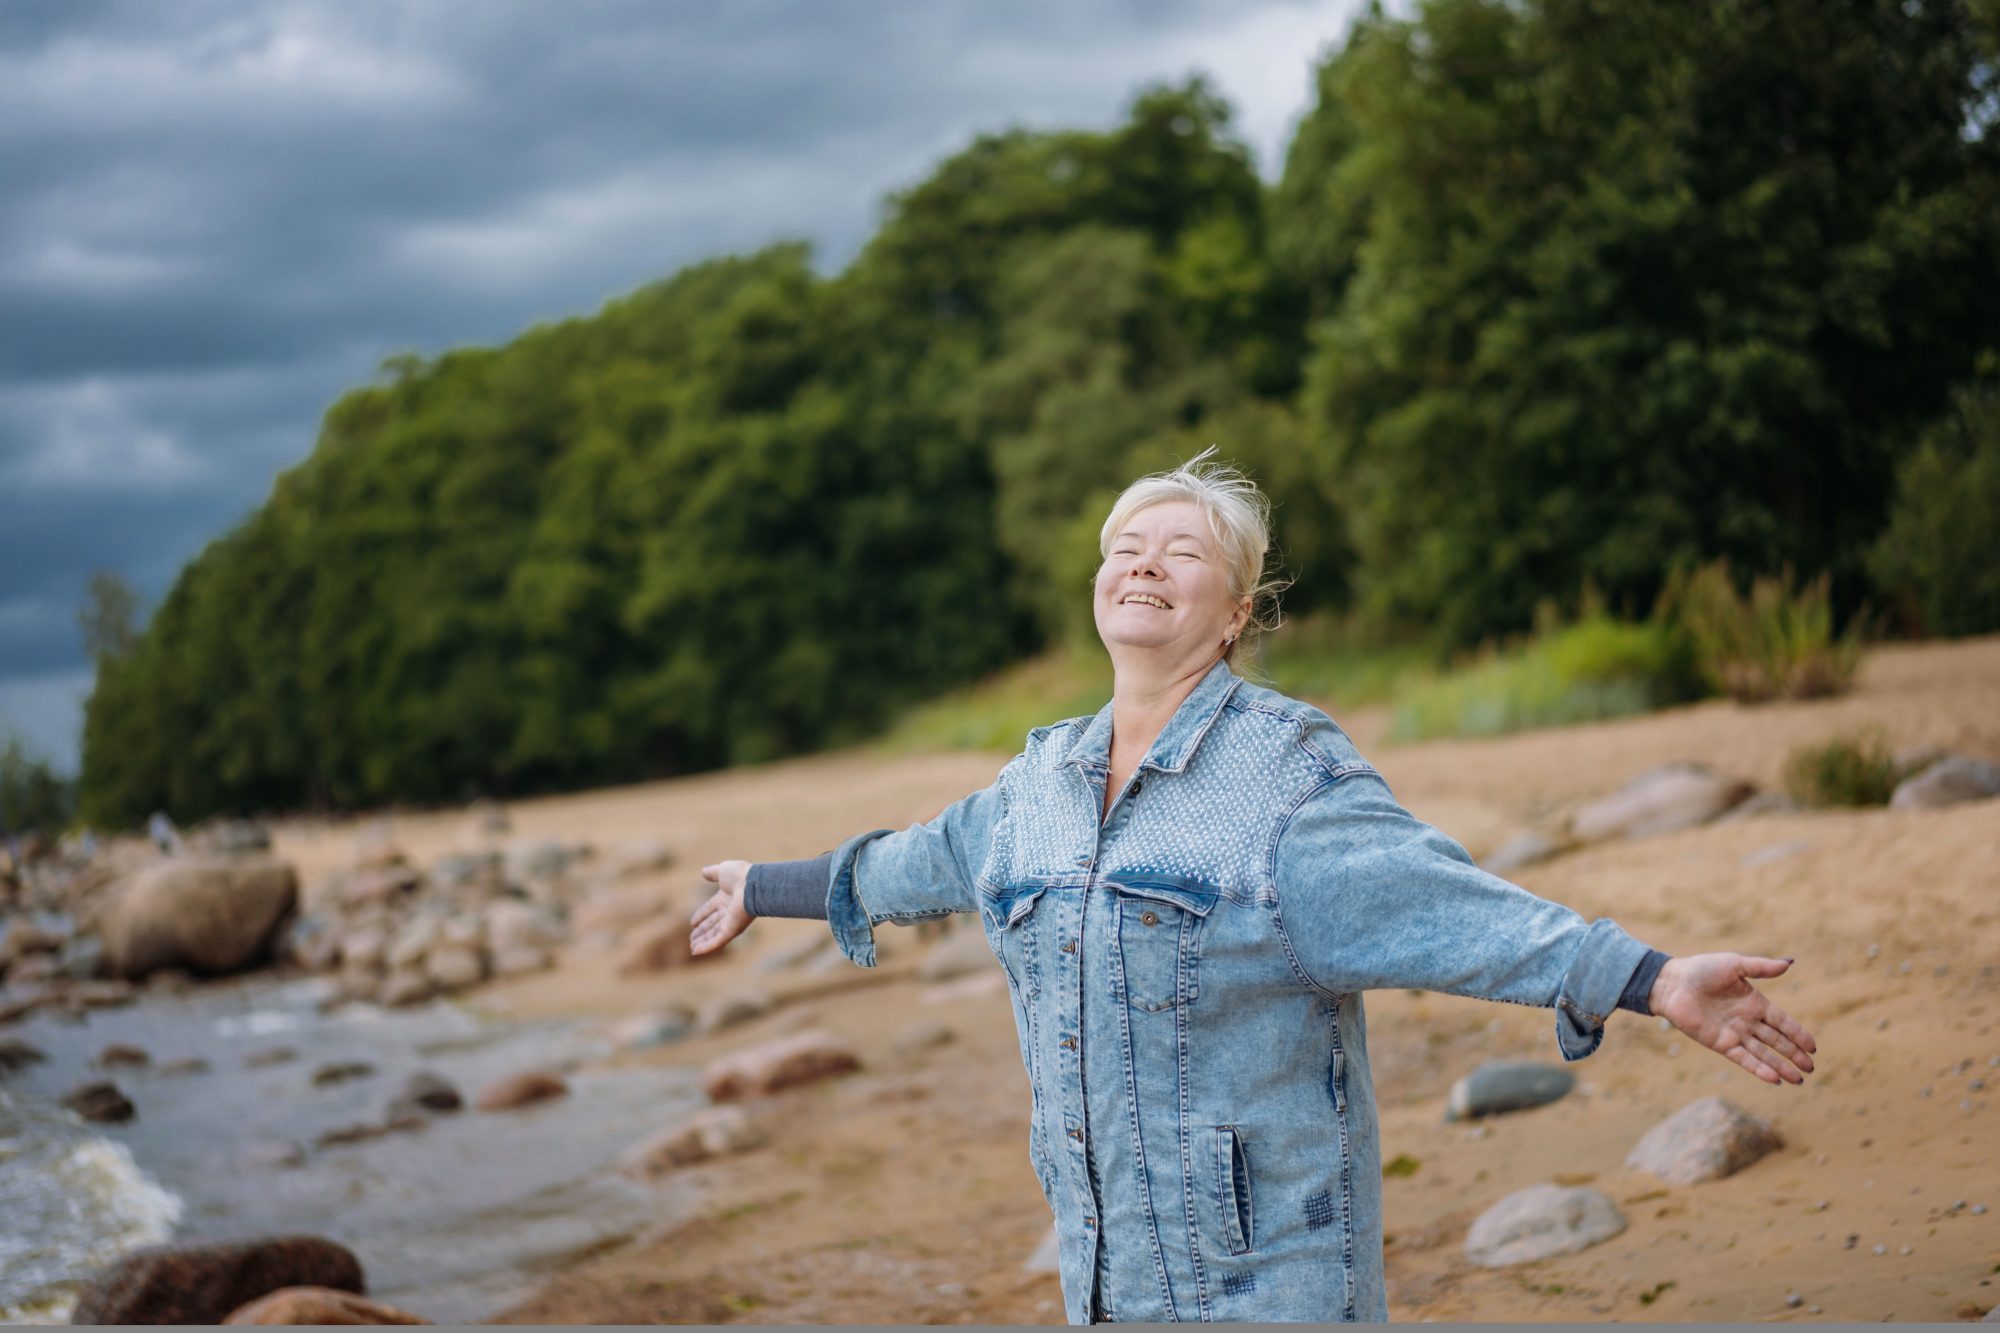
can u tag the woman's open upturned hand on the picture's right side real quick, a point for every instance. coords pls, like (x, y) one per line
(1709, 998)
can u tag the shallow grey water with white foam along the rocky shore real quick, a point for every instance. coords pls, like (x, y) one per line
(451, 1222)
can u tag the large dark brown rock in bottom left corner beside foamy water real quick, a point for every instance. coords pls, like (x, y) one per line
(205, 1284)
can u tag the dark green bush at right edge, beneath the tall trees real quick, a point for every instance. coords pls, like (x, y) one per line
(1941, 549)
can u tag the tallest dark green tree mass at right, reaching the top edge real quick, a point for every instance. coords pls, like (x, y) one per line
(1639, 283)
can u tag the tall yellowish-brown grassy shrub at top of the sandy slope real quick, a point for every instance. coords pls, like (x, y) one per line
(1779, 641)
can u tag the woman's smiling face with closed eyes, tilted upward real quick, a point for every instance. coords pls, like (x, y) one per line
(1165, 585)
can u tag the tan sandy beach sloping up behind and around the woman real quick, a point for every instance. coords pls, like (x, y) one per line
(905, 1194)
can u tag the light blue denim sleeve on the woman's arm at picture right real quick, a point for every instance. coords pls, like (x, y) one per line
(1373, 898)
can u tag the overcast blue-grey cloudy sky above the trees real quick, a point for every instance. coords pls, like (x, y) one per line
(217, 215)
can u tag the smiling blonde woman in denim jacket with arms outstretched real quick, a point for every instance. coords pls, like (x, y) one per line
(1191, 894)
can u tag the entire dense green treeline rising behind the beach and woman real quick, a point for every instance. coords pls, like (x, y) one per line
(1549, 293)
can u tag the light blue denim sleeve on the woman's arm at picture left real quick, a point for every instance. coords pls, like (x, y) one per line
(923, 872)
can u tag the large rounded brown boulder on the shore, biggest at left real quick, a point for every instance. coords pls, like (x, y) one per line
(201, 914)
